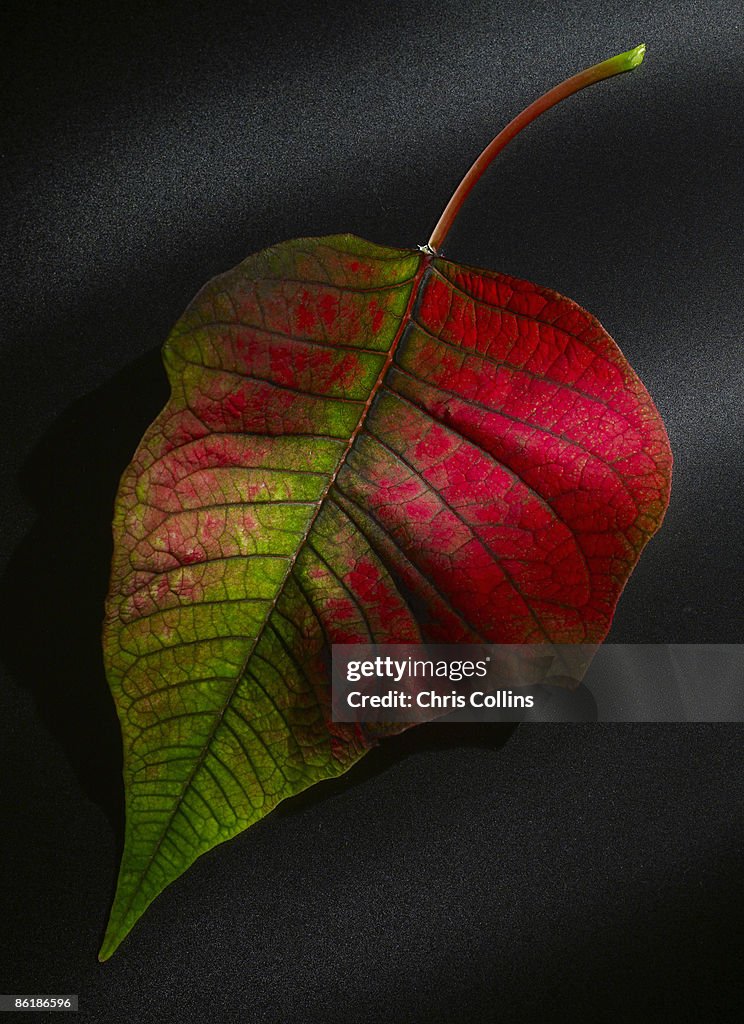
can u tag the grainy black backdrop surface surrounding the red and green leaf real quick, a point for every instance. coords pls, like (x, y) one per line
(459, 874)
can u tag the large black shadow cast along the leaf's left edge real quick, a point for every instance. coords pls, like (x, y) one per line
(56, 583)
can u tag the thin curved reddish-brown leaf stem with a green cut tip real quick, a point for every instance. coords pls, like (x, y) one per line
(616, 66)
